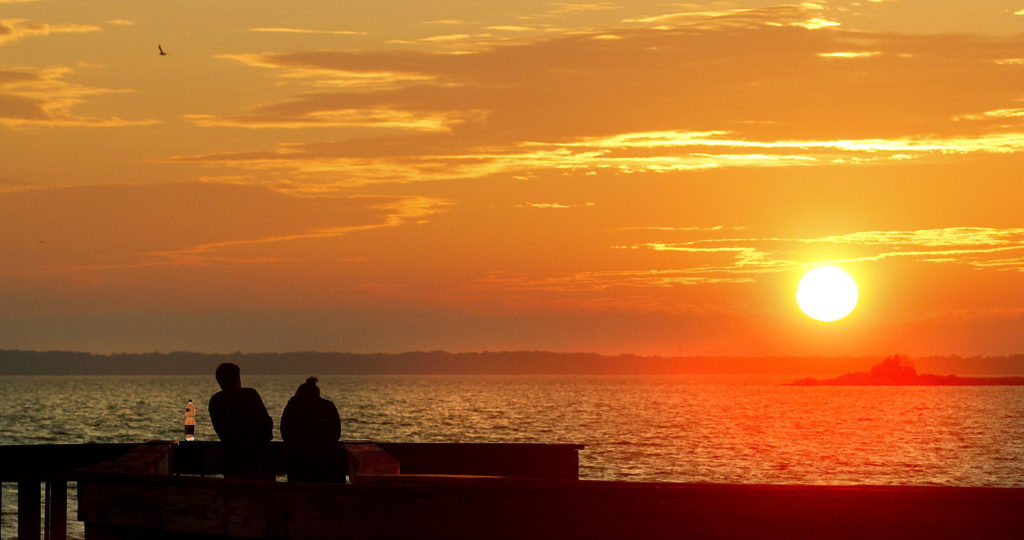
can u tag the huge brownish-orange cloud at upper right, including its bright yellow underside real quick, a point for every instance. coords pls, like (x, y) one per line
(673, 94)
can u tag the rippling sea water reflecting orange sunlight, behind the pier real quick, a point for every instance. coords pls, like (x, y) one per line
(666, 429)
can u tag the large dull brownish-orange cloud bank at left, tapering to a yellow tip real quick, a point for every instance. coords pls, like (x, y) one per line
(100, 228)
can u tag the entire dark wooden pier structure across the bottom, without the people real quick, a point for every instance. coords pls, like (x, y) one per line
(169, 491)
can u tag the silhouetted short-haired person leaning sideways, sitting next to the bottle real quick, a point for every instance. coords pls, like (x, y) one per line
(241, 421)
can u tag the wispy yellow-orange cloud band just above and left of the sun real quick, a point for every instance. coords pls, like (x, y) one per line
(714, 261)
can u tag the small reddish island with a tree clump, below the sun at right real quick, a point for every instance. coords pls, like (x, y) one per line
(898, 371)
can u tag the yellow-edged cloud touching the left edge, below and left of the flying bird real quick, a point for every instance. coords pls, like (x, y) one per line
(42, 98)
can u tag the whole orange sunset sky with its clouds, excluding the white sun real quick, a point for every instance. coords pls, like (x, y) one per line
(636, 177)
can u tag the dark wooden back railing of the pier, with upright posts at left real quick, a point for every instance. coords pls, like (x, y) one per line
(42, 473)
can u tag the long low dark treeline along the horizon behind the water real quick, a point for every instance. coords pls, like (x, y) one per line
(485, 363)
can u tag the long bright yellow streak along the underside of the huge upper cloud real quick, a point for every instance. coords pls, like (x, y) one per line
(660, 153)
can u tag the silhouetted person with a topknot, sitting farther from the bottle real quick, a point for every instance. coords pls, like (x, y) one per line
(311, 428)
